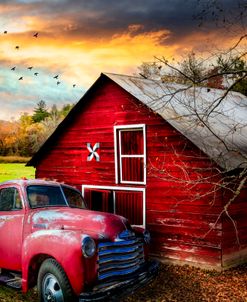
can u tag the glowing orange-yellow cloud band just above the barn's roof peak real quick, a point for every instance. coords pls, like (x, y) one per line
(82, 60)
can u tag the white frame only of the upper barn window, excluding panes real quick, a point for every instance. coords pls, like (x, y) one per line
(133, 127)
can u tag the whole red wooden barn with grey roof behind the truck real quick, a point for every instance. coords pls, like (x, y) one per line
(164, 156)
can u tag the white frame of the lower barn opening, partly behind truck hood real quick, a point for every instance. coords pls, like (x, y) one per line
(114, 189)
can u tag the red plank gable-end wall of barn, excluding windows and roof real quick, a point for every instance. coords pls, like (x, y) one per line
(182, 206)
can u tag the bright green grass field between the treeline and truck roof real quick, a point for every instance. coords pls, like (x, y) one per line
(10, 171)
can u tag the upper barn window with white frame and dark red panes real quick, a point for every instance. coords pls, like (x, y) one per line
(130, 154)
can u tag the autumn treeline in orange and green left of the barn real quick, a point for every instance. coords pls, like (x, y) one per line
(25, 136)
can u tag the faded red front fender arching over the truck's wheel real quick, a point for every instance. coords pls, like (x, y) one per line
(62, 245)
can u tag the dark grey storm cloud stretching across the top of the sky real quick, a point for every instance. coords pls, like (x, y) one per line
(97, 18)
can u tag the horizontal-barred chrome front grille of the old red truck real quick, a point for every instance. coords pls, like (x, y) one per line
(120, 258)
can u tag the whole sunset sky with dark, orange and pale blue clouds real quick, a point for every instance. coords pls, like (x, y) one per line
(78, 40)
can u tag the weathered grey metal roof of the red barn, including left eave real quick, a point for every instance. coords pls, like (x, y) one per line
(215, 121)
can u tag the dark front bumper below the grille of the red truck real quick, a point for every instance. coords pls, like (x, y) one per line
(123, 288)
